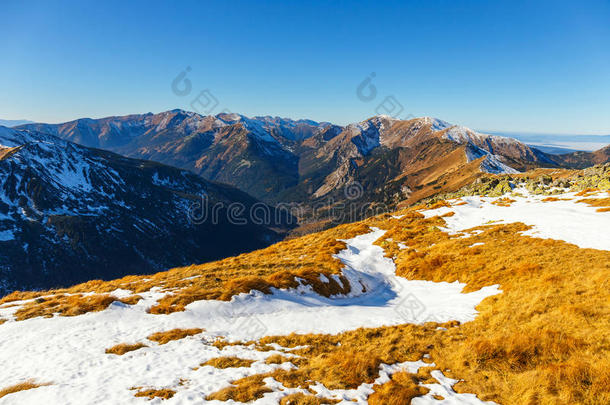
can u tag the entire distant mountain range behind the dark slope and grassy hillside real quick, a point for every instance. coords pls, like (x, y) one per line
(279, 159)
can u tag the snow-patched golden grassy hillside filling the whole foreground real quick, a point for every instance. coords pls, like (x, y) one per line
(492, 296)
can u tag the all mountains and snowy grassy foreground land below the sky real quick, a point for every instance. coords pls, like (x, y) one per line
(488, 292)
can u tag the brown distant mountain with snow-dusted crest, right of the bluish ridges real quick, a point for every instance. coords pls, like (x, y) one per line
(395, 160)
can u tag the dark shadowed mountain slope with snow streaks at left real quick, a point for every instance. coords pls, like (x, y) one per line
(69, 213)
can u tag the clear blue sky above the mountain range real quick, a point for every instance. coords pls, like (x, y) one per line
(536, 66)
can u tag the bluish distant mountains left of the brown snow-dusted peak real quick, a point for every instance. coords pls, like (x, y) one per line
(254, 154)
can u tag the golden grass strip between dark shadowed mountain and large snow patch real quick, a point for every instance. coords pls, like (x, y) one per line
(277, 266)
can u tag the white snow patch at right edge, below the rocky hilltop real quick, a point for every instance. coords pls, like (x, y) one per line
(566, 219)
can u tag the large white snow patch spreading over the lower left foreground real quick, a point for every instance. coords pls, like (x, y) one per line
(69, 352)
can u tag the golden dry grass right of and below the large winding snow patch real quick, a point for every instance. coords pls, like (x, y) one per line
(545, 338)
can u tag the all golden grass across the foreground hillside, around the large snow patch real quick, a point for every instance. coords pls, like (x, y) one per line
(543, 340)
